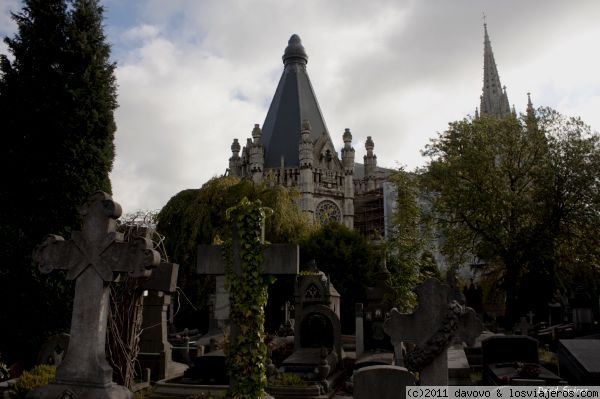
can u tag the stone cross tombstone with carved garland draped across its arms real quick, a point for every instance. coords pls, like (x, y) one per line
(431, 329)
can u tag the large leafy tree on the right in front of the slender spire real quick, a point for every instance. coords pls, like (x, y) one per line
(519, 193)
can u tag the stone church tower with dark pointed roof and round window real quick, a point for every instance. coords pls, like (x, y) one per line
(294, 147)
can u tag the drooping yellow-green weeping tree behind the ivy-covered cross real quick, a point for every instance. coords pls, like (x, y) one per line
(198, 216)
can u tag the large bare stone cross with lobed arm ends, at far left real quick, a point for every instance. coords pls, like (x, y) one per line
(93, 257)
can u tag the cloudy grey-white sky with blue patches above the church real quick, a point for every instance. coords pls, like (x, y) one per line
(193, 75)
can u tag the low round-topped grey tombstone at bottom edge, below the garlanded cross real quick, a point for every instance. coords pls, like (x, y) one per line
(382, 382)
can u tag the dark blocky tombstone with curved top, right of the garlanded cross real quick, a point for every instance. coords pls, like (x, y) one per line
(514, 360)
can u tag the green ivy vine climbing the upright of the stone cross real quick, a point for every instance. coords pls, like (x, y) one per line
(246, 352)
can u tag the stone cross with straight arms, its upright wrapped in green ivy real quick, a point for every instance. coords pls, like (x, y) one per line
(247, 264)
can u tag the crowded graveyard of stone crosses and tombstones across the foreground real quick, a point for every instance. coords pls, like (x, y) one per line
(443, 341)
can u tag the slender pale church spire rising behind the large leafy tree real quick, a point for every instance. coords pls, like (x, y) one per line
(494, 100)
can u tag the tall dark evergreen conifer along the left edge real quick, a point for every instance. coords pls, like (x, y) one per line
(57, 95)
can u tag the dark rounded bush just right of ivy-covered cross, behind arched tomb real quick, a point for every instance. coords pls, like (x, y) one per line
(349, 260)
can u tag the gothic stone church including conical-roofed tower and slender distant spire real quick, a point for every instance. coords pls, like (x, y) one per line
(294, 149)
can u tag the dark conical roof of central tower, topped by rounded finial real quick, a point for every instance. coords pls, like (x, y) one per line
(293, 102)
